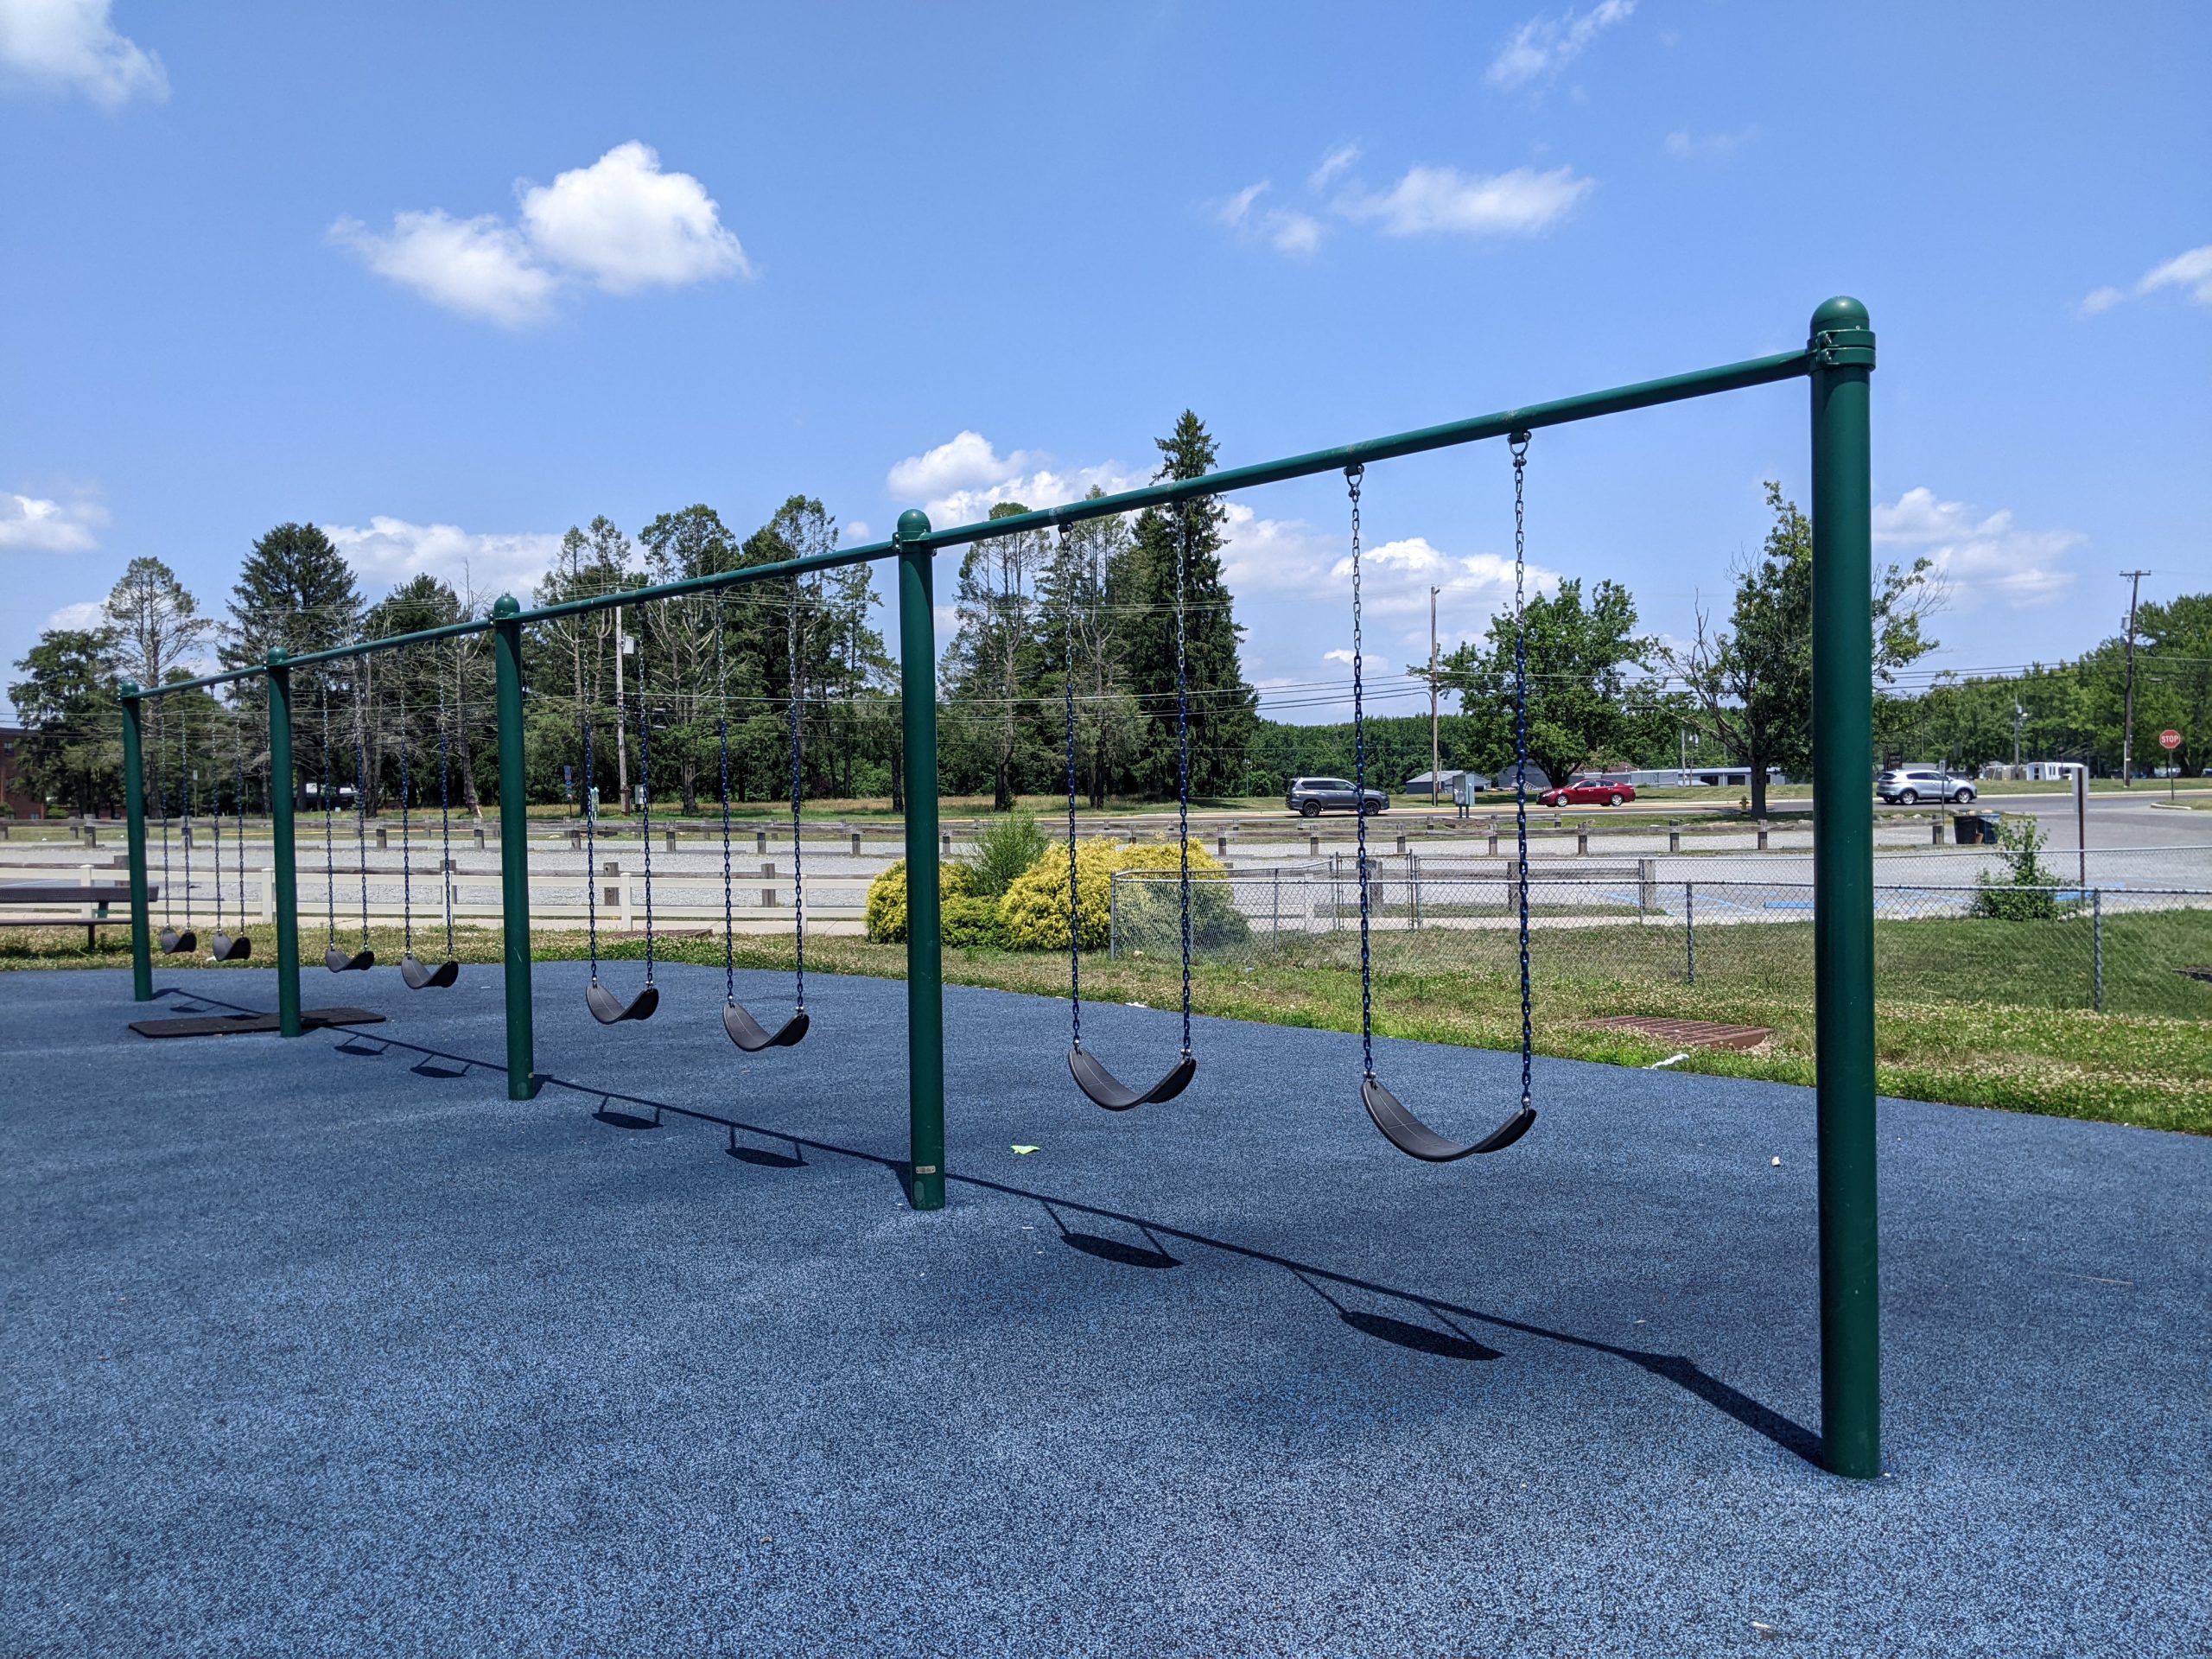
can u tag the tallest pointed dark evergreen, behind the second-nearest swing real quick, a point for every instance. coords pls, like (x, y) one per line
(1142, 587)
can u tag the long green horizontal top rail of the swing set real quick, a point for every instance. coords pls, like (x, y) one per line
(1826, 351)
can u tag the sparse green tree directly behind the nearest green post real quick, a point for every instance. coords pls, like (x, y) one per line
(1755, 678)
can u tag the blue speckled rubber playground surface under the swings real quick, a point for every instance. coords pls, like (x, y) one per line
(328, 1348)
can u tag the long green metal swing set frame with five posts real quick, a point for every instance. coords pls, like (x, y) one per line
(1837, 362)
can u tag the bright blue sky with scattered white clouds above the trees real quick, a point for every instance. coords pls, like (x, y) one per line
(448, 280)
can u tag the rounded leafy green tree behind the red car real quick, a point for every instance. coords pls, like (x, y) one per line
(1583, 698)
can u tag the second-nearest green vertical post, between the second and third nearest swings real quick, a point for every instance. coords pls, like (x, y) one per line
(926, 948)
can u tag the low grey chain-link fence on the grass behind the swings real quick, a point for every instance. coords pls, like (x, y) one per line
(2122, 950)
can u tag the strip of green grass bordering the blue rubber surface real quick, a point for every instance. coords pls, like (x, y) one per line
(1968, 1012)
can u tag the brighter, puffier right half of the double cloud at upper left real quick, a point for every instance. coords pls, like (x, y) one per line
(625, 225)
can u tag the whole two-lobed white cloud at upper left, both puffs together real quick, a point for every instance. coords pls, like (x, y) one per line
(618, 225)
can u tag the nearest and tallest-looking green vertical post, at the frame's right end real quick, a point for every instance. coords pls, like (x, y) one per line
(1844, 886)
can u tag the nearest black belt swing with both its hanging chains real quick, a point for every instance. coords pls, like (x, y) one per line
(1386, 1112)
